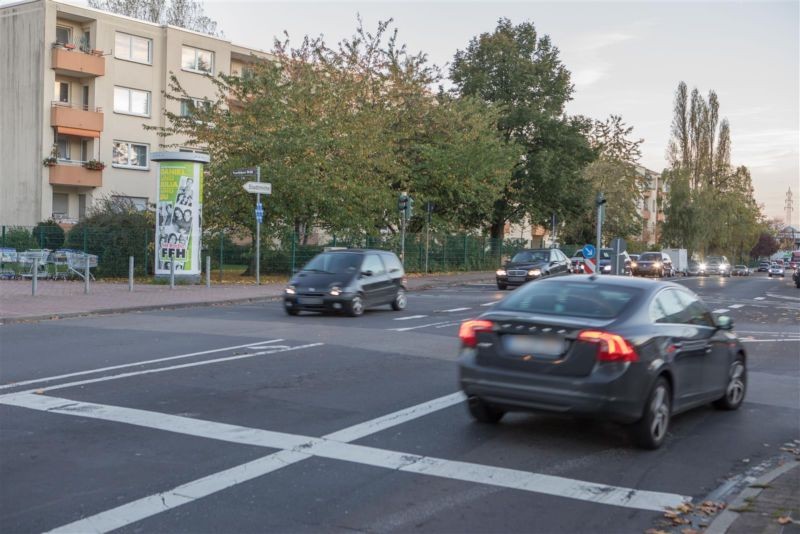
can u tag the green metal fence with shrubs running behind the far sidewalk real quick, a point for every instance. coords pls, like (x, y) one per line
(232, 256)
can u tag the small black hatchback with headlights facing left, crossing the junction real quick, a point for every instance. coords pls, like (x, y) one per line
(347, 281)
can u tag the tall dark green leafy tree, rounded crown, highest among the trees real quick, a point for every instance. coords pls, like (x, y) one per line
(520, 72)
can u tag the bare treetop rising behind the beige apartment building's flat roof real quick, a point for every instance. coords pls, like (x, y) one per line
(187, 14)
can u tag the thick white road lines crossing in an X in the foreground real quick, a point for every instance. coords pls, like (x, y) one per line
(324, 447)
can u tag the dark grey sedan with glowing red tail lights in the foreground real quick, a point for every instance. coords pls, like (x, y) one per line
(623, 349)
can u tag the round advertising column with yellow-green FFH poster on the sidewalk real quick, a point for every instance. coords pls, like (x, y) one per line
(179, 213)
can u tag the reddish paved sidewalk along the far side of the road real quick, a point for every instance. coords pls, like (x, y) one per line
(59, 299)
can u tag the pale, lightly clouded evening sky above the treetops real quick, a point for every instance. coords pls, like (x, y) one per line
(626, 58)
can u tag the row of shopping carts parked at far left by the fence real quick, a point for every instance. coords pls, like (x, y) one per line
(62, 264)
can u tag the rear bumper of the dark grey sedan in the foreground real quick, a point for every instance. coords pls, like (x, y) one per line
(612, 392)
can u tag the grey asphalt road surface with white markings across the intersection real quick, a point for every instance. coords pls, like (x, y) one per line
(241, 419)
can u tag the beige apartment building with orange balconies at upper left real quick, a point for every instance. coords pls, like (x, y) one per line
(77, 86)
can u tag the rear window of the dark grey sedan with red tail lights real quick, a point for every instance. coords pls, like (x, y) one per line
(573, 299)
